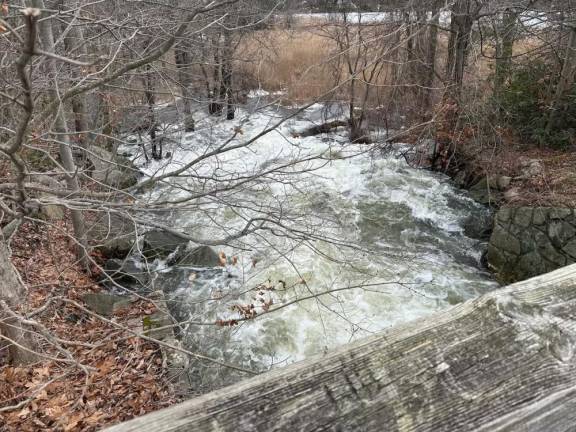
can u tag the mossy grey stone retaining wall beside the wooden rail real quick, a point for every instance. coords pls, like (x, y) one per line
(529, 241)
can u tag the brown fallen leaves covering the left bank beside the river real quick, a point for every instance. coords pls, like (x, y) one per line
(53, 396)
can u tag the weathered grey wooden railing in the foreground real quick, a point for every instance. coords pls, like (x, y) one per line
(504, 361)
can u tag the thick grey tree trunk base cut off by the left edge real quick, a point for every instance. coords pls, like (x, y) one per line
(22, 352)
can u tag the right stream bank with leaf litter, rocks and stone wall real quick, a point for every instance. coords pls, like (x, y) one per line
(533, 226)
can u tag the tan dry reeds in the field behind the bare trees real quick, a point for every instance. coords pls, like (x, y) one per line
(305, 63)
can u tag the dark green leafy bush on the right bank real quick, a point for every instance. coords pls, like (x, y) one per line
(525, 101)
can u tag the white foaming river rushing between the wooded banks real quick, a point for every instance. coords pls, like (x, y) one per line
(352, 217)
